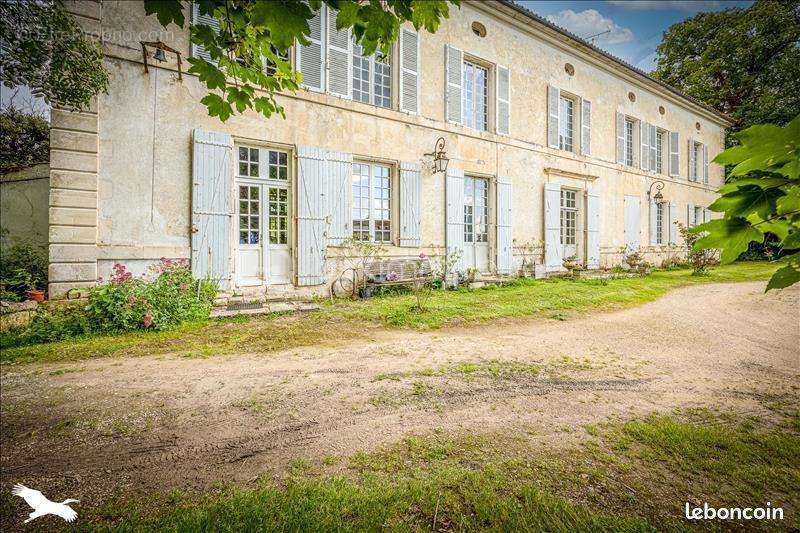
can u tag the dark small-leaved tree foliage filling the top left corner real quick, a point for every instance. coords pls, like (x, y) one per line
(44, 48)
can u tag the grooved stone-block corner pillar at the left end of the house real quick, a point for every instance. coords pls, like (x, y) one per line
(73, 183)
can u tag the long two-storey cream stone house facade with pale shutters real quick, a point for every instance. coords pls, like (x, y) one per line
(553, 146)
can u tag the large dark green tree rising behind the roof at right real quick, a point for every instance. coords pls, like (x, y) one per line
(743, 62)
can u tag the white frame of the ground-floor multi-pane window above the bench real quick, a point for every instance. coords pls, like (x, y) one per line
(387, 236)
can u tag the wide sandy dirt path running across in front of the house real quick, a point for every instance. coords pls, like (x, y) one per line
(130, 425)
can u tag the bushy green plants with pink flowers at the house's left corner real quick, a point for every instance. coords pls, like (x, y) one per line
(126, 303)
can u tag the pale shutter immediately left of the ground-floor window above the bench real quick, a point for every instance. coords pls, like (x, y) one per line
(339, 172)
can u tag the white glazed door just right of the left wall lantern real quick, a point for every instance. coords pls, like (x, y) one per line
(476, 224)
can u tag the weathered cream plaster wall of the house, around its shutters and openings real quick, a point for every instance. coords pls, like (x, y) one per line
(145, 122)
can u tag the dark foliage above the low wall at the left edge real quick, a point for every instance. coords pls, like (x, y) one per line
(24, 140)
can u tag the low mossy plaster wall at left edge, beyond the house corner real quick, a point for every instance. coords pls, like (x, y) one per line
(23, 204)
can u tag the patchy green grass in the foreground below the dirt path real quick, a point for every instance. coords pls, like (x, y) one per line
(631, 476)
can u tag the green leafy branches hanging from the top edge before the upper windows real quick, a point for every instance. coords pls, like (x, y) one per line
(254, 29)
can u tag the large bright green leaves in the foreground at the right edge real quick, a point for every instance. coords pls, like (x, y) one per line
(762, 195)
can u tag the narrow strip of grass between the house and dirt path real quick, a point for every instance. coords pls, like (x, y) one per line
(351, 319)
